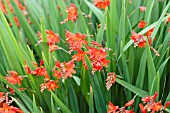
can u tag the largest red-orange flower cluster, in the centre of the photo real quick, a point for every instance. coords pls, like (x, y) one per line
(96, 53)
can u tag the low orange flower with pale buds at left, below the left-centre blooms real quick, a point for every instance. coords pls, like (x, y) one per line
(50, 85)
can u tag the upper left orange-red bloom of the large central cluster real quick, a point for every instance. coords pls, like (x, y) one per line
(75, 41)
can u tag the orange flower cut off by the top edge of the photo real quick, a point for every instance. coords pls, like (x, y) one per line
(102, 3)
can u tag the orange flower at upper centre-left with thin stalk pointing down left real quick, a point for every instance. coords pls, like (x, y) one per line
(72, 13)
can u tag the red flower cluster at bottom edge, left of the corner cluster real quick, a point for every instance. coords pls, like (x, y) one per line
(116, 109)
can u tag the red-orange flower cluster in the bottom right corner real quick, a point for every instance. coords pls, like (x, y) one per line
(151, 106)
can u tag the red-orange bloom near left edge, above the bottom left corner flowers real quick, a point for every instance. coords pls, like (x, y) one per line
(14, 78)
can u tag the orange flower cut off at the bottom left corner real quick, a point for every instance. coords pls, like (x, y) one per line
(9, 109)
